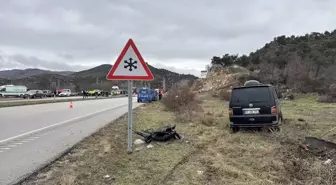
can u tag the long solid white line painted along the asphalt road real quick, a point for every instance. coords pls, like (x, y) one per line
(57, 124)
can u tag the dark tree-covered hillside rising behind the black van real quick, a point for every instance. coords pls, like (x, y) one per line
(302, 63)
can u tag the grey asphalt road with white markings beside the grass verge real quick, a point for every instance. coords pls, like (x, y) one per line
(33, 135)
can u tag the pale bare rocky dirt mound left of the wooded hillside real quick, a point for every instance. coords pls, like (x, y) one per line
(224, 79)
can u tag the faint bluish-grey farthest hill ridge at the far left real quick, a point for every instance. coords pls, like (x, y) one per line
(21, 73)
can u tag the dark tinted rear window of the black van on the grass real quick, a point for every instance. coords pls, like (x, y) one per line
(252, 95)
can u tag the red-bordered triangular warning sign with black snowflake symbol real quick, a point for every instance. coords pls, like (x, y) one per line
(130, 65)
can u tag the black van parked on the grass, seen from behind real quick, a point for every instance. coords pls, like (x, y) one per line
(254, 106)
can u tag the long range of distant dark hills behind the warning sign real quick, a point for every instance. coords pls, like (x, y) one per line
(87, 79)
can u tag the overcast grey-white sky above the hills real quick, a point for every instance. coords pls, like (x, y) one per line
(179, 35)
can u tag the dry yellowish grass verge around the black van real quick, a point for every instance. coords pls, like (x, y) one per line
(209, 154)
